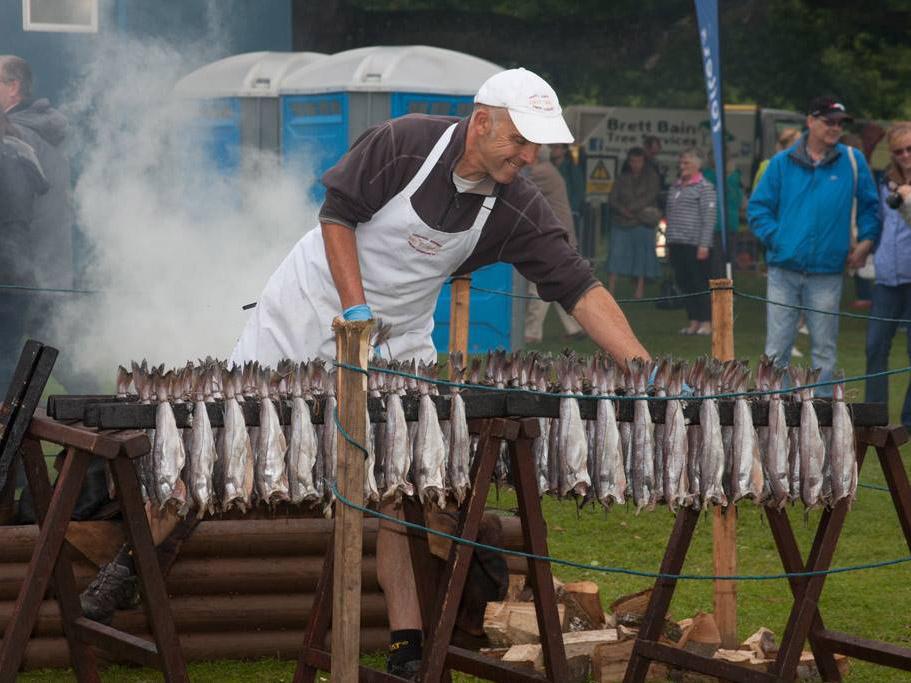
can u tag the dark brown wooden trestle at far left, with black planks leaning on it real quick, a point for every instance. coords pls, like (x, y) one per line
(51, 562)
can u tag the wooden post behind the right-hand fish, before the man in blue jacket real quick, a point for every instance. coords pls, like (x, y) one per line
(724, 521)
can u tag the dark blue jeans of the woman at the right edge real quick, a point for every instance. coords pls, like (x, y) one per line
(888, 302)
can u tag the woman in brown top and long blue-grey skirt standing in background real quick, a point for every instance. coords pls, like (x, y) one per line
(634, 205)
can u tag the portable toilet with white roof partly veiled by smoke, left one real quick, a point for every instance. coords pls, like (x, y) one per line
(238, 103)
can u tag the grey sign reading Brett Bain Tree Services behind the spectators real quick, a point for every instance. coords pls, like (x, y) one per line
(622, 128)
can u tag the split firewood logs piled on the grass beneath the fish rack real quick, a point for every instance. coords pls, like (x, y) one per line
(599, 643)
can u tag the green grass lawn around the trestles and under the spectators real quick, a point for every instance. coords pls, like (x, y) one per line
(873, 604)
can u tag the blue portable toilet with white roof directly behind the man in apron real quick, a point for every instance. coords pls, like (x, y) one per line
(326, 106)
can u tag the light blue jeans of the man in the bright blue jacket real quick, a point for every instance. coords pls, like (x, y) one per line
(814, 291)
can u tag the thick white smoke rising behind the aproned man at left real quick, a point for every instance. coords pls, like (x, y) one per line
(175, 247)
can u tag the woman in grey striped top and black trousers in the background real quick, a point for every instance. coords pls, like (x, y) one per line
(691, 215)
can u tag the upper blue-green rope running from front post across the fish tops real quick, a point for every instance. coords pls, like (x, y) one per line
(728, 395)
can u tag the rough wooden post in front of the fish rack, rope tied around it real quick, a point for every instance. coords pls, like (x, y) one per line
(351, 349)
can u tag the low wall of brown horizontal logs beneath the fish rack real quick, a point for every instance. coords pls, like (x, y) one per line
(240, 589)
